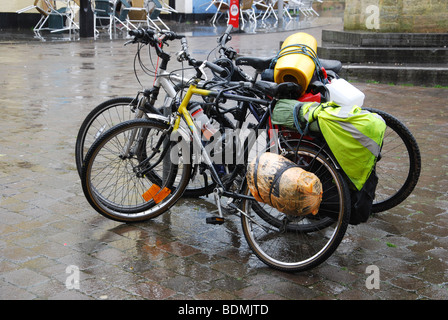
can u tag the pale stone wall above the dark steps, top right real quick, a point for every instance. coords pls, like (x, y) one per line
(418, 16)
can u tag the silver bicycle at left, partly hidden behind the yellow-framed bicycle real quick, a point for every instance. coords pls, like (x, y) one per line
(117, 110)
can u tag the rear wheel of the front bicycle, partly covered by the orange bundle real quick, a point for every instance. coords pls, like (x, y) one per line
(293, 249)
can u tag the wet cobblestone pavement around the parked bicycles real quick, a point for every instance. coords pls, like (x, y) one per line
(48, 228)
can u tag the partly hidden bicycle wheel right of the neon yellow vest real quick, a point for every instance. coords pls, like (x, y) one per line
(399, 166)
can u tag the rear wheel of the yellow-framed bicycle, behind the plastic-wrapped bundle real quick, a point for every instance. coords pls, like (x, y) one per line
(298, 243)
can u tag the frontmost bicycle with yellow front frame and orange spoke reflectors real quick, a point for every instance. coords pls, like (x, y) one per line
(137, 148)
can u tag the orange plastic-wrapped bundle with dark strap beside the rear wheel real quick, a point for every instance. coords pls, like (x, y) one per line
(279, 182)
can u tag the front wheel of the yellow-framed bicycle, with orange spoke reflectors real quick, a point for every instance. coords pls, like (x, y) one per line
(111, 183)
